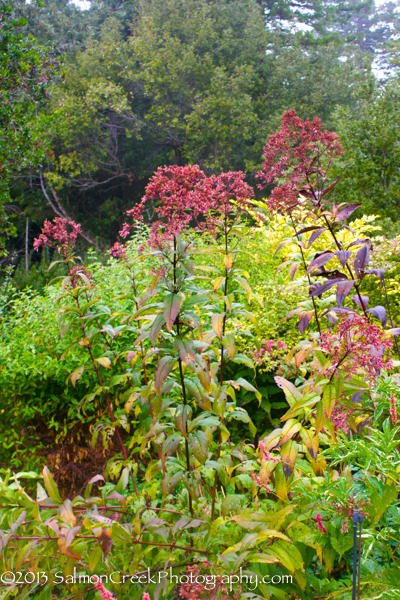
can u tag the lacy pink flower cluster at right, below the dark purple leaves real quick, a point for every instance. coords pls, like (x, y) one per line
(357, 345)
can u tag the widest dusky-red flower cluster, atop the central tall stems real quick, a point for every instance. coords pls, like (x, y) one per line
(183, 195)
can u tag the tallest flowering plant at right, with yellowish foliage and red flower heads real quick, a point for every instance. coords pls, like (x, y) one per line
(349, 347)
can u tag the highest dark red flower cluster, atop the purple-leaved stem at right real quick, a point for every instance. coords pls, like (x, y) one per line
(293, 157)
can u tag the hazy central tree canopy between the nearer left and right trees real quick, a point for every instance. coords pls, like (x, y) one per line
(176, 81)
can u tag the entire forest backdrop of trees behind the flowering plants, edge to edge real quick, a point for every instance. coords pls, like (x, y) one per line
(143, 83)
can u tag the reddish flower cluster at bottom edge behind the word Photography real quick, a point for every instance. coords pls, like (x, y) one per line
(196, 587)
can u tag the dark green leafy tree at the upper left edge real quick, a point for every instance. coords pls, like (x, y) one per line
(26, 71)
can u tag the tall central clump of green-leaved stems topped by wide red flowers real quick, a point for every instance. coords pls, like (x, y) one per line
(164, 389)
